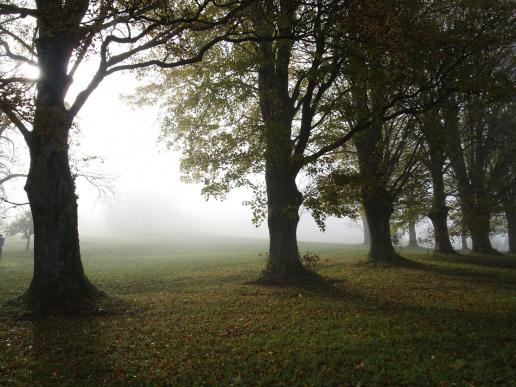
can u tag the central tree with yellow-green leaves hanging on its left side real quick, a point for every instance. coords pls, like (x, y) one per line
(266, 102)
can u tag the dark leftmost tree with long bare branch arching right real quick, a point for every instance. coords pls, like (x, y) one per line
(57, 37)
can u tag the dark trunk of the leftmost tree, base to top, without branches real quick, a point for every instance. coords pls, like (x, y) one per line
(58, 279)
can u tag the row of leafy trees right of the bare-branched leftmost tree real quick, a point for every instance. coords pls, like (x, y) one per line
(381, 105)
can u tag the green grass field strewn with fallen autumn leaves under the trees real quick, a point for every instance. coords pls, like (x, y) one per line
(184, 314)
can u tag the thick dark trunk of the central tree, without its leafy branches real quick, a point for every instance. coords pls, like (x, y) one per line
(283, 197)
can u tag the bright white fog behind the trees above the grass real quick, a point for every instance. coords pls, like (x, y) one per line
(149, 200)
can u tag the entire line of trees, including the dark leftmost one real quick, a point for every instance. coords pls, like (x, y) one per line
(349, 94)
